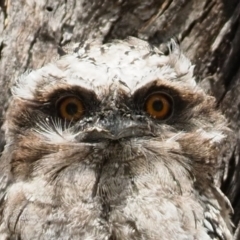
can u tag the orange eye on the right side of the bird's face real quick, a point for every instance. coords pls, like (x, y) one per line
(159, 105)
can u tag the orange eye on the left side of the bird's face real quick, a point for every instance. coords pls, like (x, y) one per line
(71, 108)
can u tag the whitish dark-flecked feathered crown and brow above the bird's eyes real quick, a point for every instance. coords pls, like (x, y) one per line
(100, 67)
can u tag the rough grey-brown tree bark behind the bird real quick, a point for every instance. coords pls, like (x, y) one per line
(31, 32)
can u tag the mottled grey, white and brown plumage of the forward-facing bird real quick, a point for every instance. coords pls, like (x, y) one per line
(116, 171)
